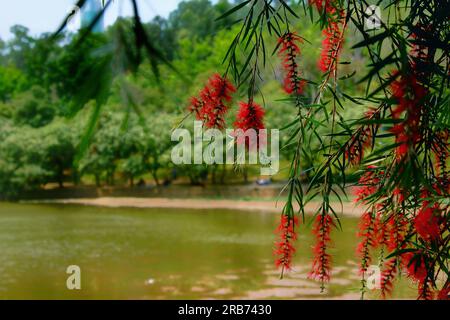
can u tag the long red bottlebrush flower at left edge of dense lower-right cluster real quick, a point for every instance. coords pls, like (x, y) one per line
(367, 233)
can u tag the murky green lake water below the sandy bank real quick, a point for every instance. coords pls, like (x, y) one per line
(160, 254)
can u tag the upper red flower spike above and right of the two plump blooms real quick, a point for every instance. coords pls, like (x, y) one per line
(290, 51)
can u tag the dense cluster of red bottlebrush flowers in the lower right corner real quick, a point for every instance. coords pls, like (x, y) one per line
(379, 229)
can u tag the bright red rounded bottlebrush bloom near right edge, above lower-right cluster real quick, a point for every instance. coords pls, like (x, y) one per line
(426, 222)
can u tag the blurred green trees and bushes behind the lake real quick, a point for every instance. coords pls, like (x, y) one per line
(44, 119)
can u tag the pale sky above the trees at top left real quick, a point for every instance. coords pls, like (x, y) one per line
(46, 15)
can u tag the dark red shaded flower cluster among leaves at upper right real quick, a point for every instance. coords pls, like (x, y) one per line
(409, 94)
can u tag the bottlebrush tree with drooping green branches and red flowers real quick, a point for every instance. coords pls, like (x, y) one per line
(400, 146)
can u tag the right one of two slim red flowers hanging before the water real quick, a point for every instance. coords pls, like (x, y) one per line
(321, 269)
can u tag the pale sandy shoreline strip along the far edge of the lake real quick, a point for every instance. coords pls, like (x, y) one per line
(347, 209)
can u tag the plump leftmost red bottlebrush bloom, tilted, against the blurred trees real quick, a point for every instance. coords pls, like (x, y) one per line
(210, 106)
